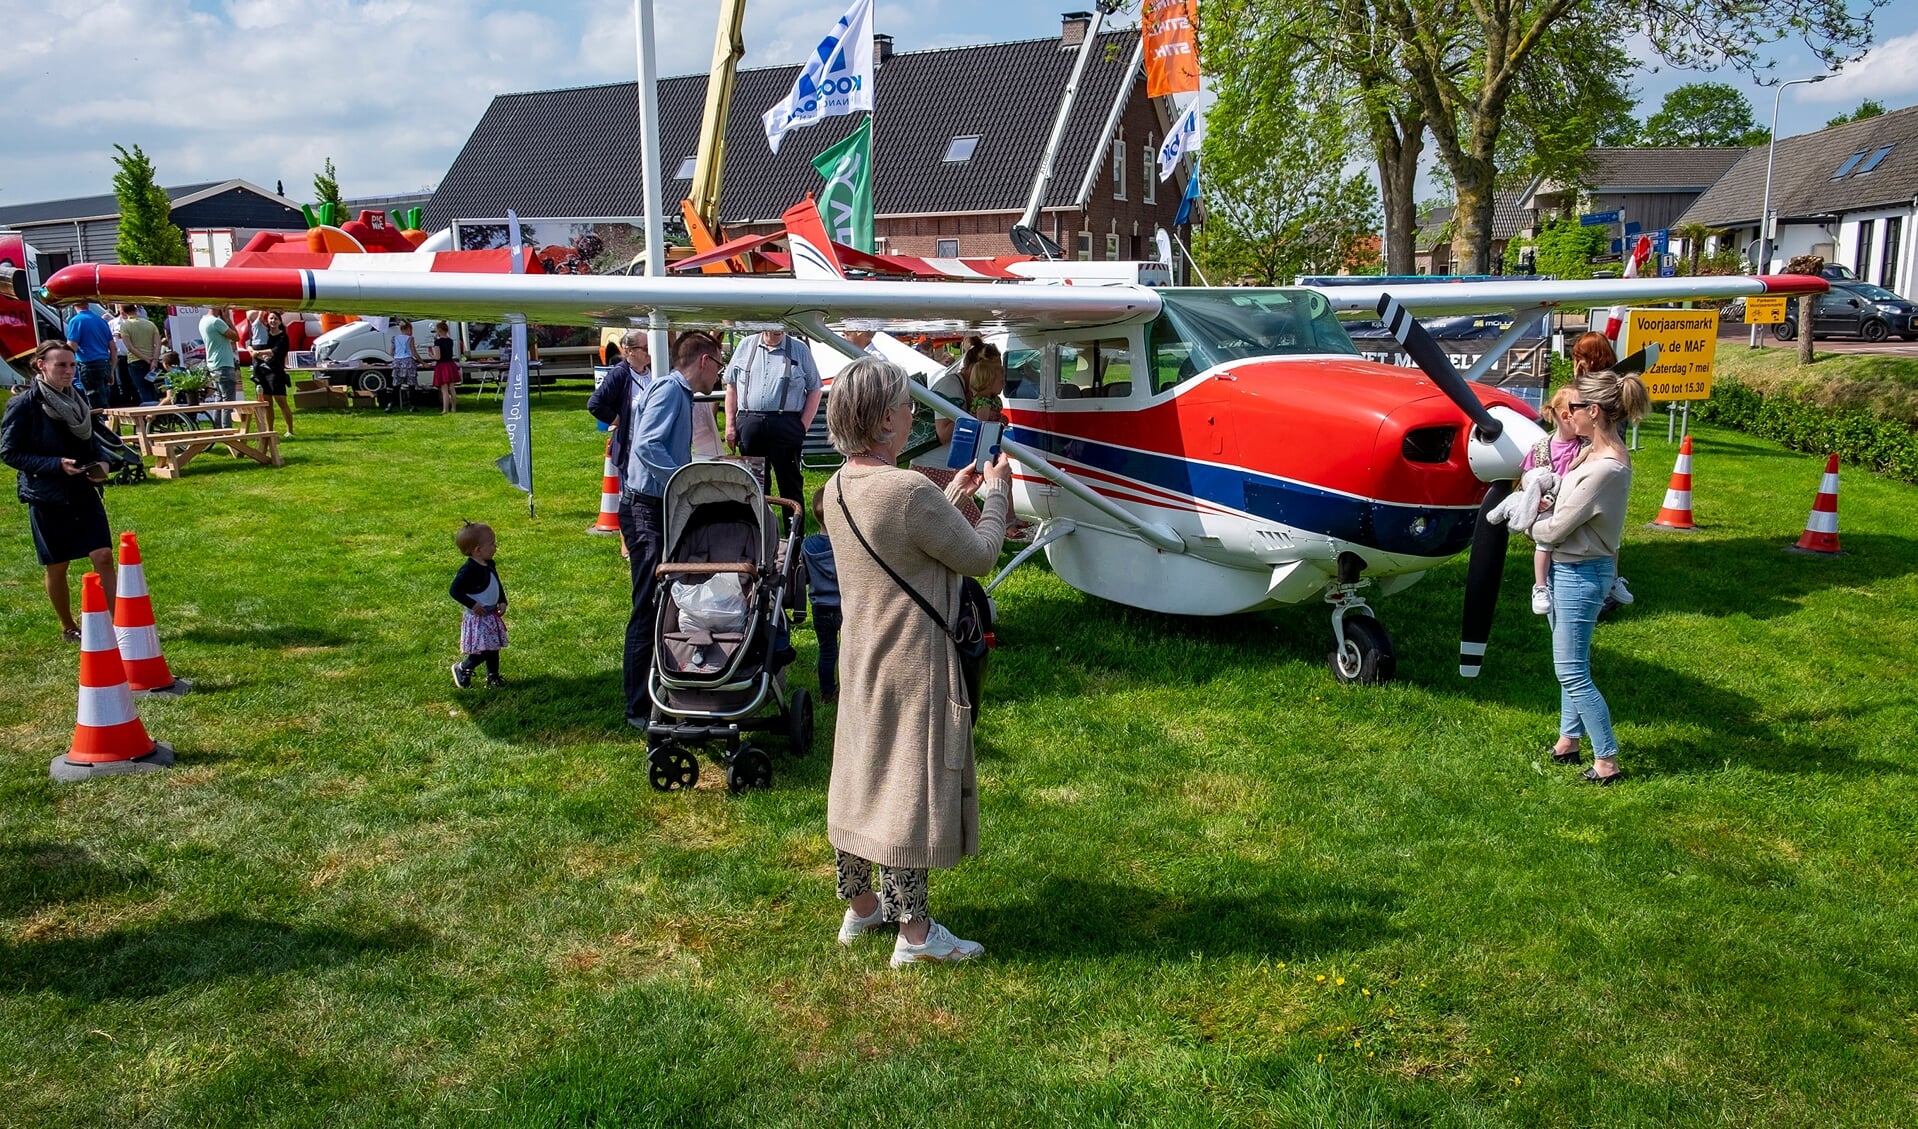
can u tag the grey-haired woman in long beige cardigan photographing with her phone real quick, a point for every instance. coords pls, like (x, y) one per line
(904, 793)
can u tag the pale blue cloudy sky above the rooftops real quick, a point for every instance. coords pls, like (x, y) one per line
(390, 89)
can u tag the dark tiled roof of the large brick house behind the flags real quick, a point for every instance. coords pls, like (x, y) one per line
(576, 152)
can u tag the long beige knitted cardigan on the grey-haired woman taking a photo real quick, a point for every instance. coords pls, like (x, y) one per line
(904, 793)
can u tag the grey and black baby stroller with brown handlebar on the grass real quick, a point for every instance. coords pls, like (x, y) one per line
(720, 645)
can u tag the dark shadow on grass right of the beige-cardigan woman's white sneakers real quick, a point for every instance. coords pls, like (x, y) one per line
(1071, 917)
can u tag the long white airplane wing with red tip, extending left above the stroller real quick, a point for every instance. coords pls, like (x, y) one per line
(584, 300)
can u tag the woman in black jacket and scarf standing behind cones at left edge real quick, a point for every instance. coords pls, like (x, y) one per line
(47, 436)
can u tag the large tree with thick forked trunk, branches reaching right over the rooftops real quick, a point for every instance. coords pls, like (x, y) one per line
(1468, 106)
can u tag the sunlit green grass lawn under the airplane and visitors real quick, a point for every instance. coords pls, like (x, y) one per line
(1217, 888)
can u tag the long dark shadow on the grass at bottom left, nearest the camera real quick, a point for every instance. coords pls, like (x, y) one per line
(154, 959)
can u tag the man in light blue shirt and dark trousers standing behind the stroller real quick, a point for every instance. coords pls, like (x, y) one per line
(663, 444)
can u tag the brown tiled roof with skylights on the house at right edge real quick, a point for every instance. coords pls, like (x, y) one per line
(1802, 175)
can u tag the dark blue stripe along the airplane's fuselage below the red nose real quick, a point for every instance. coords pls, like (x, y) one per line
(1367, 522)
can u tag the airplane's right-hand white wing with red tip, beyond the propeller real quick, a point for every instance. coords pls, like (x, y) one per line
(1484, 298)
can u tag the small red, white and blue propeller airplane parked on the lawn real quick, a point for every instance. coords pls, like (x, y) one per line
(1198, 451)
